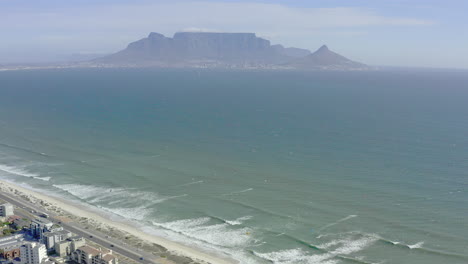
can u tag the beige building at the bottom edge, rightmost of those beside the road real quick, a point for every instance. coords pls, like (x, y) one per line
(90, 255)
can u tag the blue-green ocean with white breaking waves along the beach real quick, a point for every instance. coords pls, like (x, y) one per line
(266, 167)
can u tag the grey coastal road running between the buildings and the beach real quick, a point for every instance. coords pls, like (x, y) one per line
(89, 234)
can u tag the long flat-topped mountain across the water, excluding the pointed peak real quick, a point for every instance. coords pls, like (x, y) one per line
(187, 48)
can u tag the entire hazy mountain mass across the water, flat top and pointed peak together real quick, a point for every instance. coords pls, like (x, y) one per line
(206, 49)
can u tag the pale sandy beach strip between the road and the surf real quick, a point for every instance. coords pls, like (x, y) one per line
(95, 219)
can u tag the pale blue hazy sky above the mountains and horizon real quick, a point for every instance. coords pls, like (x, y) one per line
(409, 33)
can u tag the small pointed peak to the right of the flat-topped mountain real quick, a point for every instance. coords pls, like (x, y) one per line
(326, 59)
